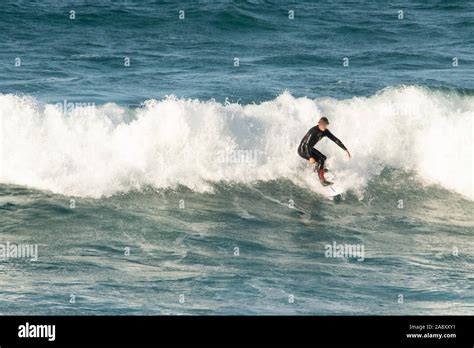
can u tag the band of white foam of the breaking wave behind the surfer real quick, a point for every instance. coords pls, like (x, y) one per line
(109, 149)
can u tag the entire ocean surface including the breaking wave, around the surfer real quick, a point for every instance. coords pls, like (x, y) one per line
(171, 185)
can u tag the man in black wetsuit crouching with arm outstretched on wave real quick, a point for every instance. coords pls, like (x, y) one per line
(307, 150)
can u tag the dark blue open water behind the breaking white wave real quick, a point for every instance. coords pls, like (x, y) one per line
(83, 59)
